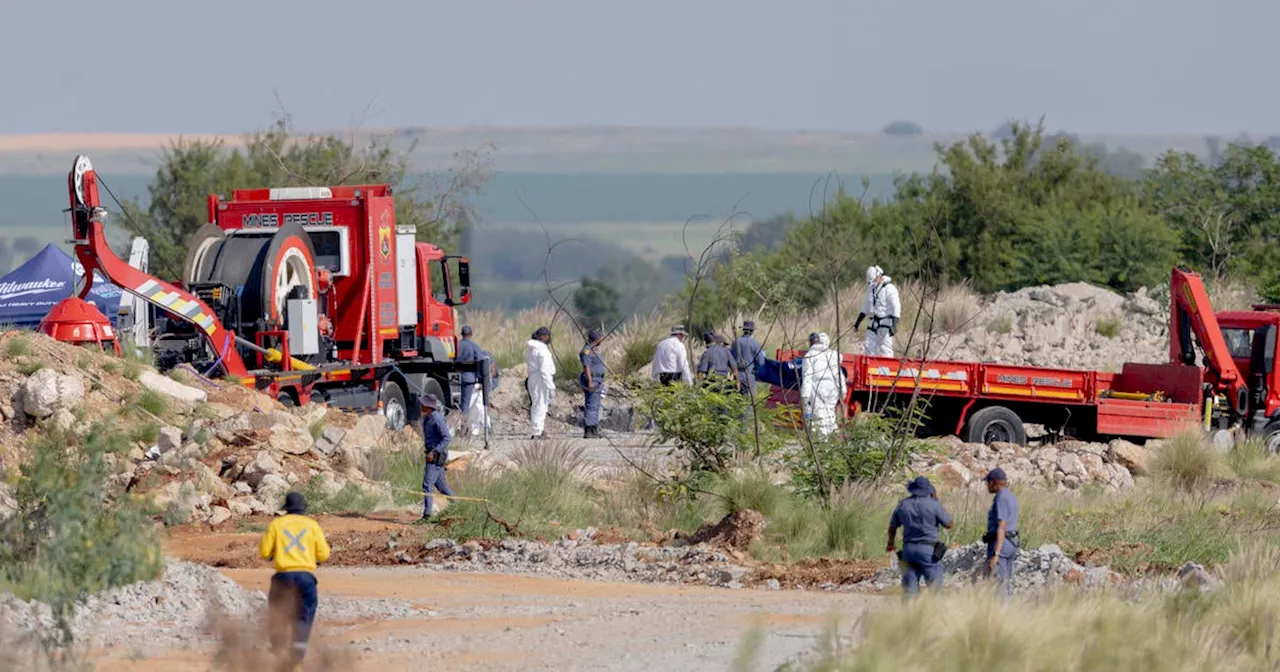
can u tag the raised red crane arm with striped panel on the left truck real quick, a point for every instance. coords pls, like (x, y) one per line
(94, 254)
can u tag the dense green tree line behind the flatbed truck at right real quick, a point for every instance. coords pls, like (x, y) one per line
(1023, 209)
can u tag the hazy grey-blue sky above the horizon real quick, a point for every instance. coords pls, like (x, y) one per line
(1090, 66)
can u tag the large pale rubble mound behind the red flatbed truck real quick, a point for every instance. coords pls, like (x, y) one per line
(1071, 326)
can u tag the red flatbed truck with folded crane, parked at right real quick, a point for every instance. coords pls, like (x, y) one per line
(1236, 386)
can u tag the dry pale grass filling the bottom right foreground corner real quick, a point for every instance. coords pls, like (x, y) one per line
(1236, 628)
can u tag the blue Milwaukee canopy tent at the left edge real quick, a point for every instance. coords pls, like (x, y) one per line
(30, 291)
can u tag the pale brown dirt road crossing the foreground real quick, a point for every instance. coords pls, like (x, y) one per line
(520, 623)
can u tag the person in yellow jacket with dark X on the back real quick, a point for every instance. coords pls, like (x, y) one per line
(296, 545)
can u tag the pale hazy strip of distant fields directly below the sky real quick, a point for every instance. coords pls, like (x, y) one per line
(583, 149)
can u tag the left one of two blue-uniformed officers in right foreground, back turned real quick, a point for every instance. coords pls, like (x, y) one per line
(920, 518)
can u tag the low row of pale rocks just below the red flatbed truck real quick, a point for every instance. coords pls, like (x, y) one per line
(1063, 467)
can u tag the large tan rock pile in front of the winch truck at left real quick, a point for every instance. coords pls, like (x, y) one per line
(218, 452)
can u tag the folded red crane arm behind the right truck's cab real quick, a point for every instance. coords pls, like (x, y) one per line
(1192, 316)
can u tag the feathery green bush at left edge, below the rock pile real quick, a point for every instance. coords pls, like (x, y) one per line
(71, 537)
